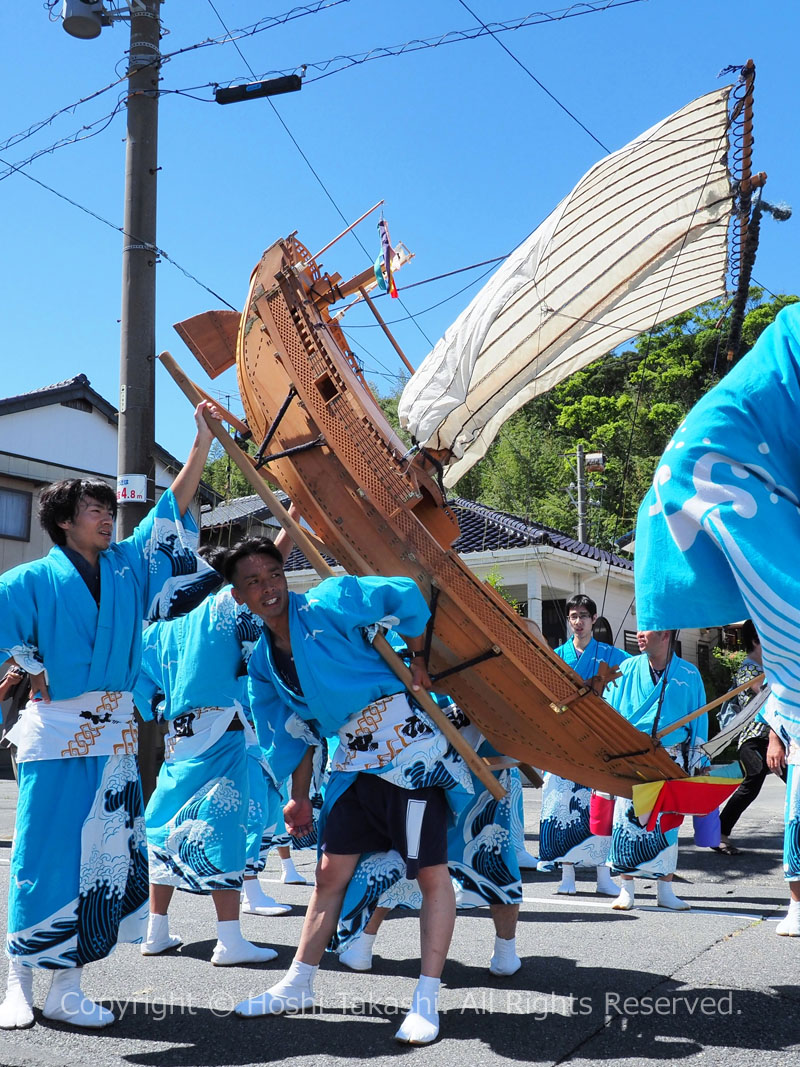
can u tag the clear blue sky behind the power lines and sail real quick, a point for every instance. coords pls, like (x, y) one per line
(469, 153)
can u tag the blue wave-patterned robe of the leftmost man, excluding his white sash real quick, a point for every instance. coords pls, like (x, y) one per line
(79, 870)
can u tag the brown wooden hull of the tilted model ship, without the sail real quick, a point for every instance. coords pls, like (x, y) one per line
(327, 443)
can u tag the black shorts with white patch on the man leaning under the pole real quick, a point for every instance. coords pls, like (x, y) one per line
(374, 816)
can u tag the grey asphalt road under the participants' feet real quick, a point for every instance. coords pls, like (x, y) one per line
(711, 986)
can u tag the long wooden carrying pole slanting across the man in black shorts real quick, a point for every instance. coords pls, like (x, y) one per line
(326, 571)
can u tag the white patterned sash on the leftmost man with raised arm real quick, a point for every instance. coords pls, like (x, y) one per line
(94, 724)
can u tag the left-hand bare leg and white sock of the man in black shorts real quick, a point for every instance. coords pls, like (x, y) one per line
(296, 990)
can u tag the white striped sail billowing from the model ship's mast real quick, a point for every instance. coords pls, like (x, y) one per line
(643, 237)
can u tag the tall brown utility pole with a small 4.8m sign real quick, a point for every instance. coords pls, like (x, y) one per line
(138, 330)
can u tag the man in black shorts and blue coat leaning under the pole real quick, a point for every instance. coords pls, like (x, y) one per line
(313, 674)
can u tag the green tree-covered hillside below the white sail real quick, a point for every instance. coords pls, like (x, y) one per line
(627, 405)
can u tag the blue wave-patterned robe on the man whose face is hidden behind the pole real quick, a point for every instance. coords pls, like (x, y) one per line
(203, 813)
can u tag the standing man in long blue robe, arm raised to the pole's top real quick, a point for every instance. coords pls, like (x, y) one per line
(74, 622)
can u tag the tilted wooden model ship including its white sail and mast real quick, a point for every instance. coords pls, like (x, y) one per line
(643, 236)
